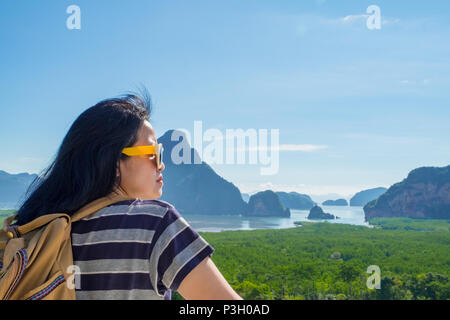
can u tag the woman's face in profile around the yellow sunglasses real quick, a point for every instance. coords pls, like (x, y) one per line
(139, 173)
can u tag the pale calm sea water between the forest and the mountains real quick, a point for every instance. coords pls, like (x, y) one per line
(217, 223)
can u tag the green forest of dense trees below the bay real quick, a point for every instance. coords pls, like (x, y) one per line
(321, 260)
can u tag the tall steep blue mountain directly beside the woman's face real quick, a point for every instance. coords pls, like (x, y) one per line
(195, 188)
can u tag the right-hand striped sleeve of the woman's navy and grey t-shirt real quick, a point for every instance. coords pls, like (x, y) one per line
(177, 250)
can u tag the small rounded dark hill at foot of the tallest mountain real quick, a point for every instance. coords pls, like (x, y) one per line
(266, 203)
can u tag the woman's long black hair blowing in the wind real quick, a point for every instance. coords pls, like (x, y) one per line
(86, 164)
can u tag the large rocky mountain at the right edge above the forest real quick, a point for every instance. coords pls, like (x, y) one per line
(425, 193)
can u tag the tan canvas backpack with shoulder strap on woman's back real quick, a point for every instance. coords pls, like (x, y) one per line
(36, 259)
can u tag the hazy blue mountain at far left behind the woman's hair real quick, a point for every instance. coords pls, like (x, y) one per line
(13, 188)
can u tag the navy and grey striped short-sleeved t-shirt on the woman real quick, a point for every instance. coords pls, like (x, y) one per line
(135, 249)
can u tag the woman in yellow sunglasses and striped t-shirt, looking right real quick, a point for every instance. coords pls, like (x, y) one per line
(136, 249)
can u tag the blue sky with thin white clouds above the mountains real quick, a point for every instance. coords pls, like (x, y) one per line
(377, 101)
